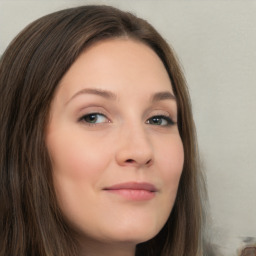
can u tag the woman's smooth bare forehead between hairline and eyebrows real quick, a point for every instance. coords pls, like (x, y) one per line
(117, 64)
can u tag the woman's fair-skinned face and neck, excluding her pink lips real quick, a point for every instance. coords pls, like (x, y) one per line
(133, 139)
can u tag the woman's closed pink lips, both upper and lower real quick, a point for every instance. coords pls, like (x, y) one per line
(136, 191)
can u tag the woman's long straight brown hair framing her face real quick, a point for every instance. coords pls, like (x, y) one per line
(31, 68)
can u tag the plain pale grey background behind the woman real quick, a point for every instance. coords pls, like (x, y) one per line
(215, 41)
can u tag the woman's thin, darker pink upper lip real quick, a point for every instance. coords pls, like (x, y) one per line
(133, 186)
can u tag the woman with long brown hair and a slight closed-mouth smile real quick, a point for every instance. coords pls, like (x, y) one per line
(98, 151)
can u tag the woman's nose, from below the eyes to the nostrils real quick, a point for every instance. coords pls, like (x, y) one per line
(134, 148)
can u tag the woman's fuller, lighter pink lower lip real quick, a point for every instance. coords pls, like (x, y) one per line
(133, 194)
